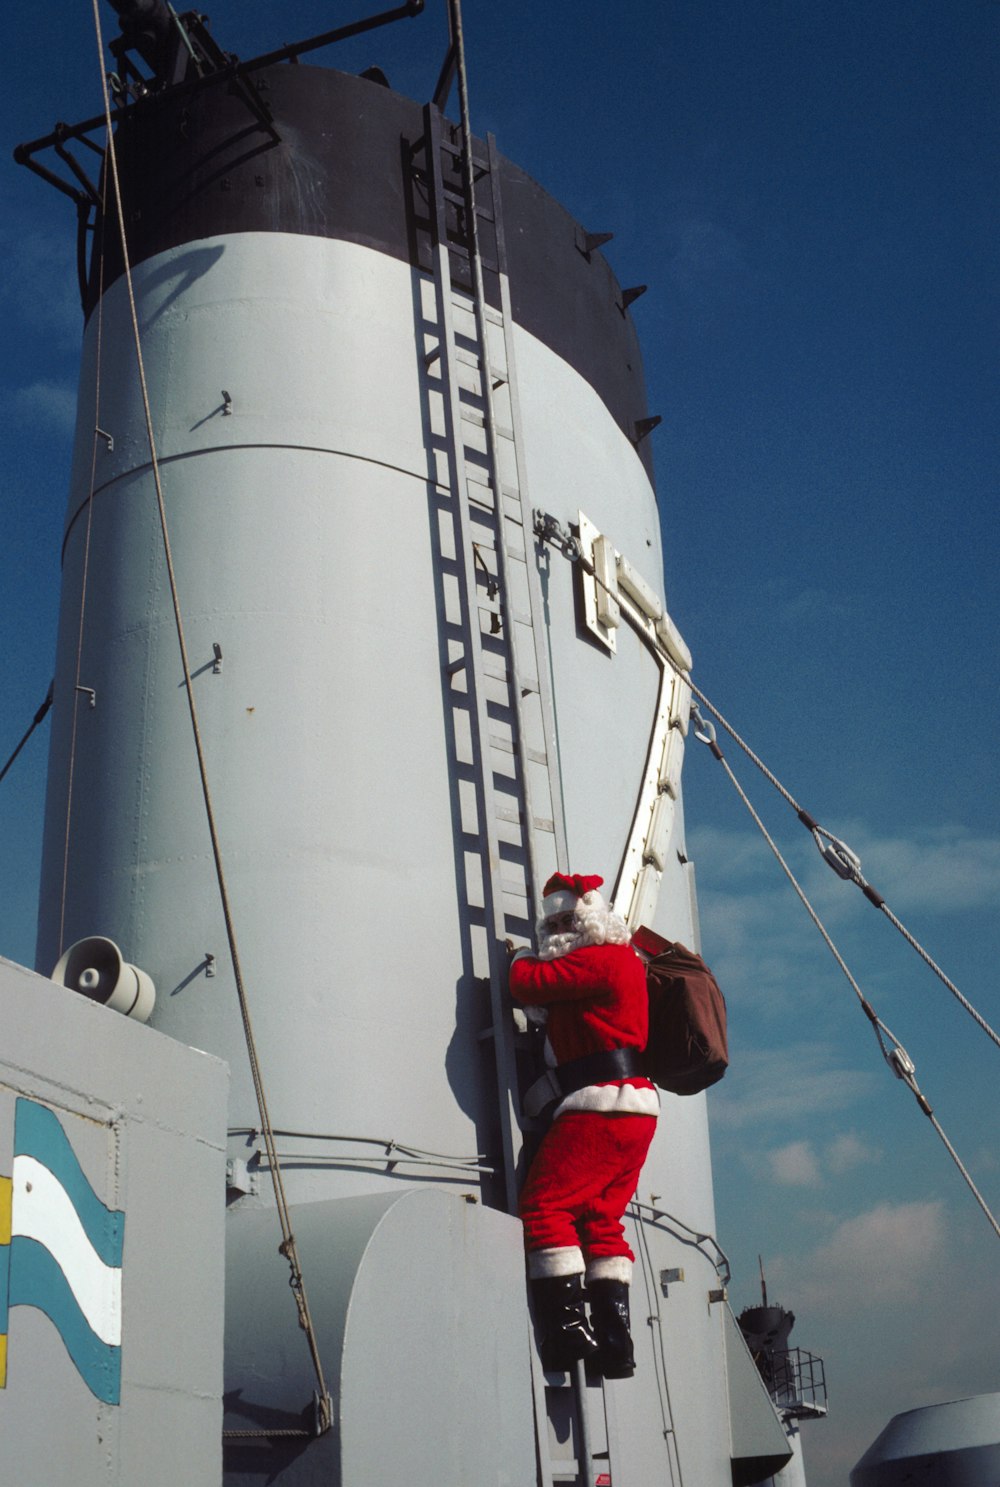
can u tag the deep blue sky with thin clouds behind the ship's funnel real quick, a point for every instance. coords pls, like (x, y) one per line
(810, 193)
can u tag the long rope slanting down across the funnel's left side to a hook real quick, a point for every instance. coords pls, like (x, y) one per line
(288, 1247)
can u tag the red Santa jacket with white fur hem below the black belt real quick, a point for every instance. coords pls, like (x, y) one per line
(596, 999)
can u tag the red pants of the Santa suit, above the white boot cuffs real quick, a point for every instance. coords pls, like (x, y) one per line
(581, 1181)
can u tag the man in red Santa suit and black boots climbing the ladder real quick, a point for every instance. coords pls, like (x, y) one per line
(593, 988)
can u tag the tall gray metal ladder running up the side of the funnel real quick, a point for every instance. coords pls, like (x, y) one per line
(499, 674)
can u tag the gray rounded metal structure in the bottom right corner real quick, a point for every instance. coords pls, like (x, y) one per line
(955, 1445)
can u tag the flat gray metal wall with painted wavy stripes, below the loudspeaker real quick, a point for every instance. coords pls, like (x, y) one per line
(145, 1117)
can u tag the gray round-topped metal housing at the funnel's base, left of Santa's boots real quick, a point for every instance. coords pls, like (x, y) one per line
(423, 1321)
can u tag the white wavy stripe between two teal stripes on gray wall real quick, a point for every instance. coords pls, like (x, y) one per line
(42, 1211)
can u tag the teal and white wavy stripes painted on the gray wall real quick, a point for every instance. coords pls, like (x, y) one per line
(65, 1250)
